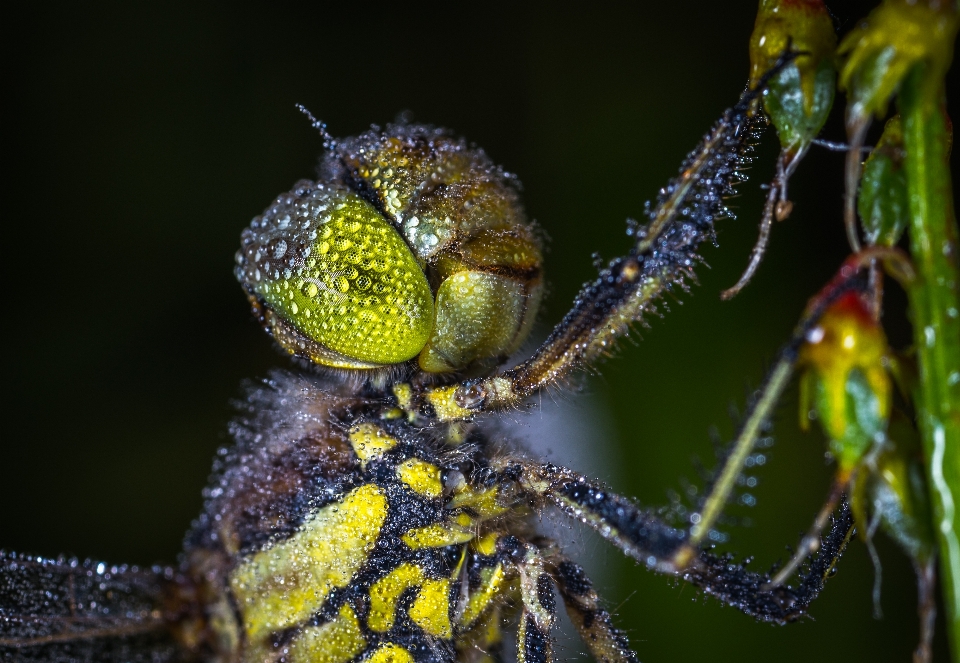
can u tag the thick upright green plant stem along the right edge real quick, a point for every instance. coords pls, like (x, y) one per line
(935, 306)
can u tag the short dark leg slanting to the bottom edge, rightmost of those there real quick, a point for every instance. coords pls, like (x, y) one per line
(605, 642)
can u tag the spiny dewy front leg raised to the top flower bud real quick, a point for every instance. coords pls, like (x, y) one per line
(662, 258)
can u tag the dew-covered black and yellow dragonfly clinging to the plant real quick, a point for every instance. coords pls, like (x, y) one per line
(366, 511)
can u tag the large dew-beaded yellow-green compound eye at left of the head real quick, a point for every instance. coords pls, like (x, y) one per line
(326, 263)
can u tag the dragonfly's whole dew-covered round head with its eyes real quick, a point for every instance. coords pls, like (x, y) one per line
(412, 246)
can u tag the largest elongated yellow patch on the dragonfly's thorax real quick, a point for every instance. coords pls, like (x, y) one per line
(288, 582)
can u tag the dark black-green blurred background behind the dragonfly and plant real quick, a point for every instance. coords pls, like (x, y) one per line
(140, 139)
